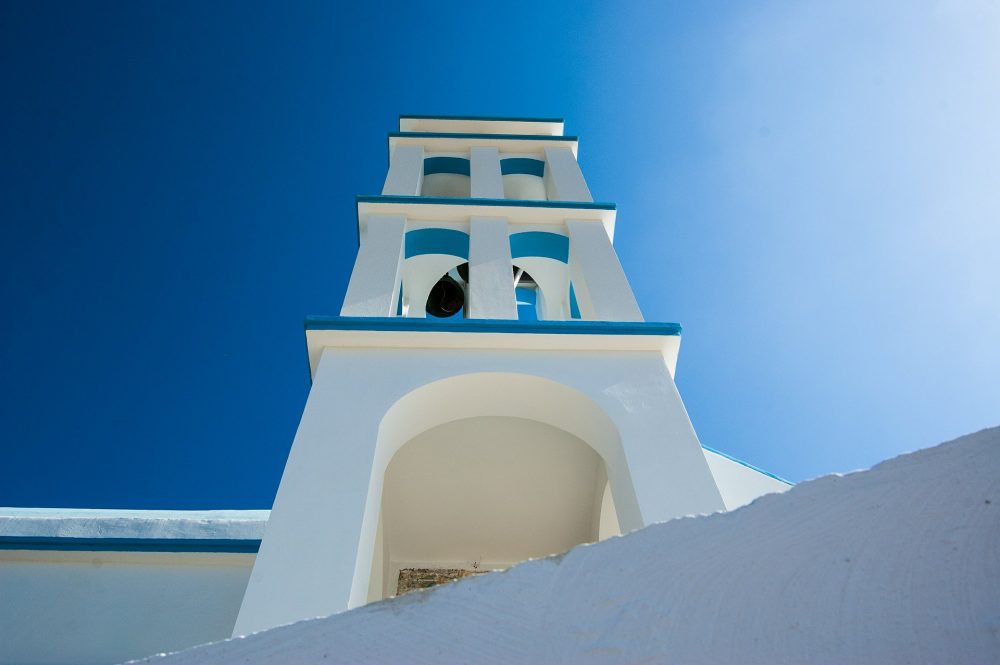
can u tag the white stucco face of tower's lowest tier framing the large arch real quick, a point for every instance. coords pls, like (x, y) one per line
(624, 405)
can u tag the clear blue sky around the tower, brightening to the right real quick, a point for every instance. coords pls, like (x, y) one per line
(811, 189)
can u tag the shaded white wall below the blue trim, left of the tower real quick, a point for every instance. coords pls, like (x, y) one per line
(108, 607)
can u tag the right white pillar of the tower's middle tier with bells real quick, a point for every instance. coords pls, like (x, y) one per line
(602, 290)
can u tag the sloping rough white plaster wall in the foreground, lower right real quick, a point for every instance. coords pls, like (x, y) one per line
(898, 564)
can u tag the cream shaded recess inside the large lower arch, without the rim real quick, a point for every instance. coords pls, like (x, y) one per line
(483, 493)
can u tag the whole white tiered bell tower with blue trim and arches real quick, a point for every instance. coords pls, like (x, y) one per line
(489, 392)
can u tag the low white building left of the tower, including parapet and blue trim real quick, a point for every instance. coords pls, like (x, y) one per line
(100, 602)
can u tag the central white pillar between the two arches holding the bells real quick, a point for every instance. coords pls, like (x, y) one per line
(491, 284)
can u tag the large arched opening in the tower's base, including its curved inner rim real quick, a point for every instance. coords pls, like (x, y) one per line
(480, 471)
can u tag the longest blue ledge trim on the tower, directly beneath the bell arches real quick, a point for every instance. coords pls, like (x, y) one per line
(393, 324)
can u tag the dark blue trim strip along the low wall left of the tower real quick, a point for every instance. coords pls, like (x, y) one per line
(69, 544)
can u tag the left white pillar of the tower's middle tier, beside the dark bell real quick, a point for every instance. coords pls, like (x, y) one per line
(374, 286)
